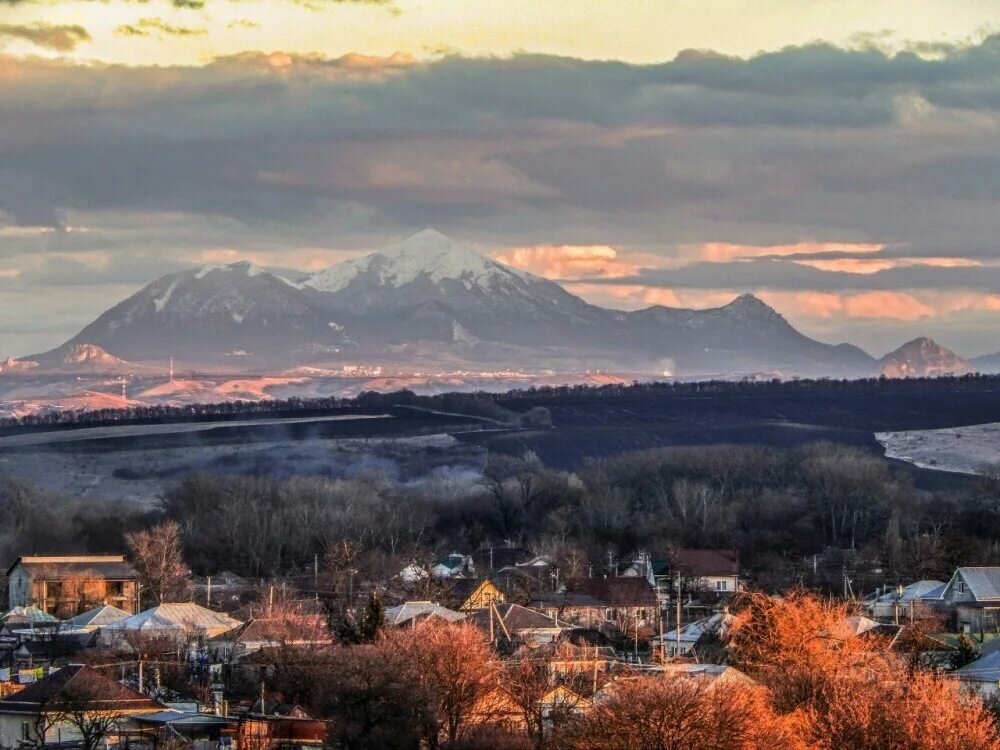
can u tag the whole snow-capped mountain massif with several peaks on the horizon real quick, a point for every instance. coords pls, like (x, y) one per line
(429, 301)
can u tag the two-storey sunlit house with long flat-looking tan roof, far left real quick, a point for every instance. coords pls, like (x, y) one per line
(69, 584)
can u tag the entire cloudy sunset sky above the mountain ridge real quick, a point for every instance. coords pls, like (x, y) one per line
(839, 158)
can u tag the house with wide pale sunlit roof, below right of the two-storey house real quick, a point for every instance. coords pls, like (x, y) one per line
(180, 623)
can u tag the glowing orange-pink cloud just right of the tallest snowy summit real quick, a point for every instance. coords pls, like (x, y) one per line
(575, 261)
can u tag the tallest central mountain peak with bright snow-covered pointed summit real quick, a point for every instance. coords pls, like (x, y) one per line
(431, 288)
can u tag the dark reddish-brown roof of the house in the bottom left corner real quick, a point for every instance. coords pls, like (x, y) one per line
(102, 692)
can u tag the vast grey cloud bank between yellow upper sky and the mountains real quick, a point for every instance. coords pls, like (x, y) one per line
(837, 173)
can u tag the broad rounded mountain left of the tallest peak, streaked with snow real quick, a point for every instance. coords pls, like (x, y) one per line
(212, 312)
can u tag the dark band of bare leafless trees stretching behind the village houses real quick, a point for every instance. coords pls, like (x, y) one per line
(780, 508)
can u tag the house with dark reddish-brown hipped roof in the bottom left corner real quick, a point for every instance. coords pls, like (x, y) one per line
(56, 708)
